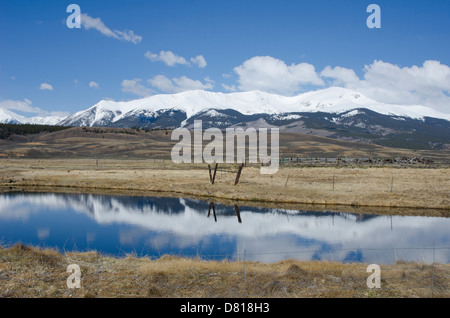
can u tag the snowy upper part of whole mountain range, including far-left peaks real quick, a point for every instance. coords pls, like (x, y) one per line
(188, 104)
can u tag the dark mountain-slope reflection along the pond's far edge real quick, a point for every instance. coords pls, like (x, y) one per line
(176, 206)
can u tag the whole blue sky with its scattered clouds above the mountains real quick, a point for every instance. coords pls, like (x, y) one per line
(131, 49)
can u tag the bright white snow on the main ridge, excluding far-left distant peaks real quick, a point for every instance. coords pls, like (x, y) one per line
(330, 100)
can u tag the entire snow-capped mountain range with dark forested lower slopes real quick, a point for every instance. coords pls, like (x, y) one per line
(333, 112)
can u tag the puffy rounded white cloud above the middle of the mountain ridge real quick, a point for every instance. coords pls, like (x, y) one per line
(273, 75)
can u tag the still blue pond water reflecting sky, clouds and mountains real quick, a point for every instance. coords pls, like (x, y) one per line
(154, 226)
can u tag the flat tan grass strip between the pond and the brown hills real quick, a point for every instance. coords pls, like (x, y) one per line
(357, 186)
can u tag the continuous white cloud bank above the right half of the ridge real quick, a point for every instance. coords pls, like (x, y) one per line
(427, 85)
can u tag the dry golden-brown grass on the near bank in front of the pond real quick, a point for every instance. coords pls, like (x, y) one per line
(33, 272)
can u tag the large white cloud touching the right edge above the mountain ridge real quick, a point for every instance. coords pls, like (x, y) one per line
(427, 85)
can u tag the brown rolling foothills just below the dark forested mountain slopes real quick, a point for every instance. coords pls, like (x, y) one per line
(120, 143)
